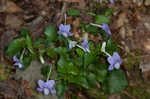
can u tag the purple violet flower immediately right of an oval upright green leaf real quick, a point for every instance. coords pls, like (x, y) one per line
(64, 30)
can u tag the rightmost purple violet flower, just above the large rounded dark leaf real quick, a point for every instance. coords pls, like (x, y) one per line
(114, 61)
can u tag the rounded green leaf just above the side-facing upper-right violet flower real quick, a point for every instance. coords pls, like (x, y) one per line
(99, 19)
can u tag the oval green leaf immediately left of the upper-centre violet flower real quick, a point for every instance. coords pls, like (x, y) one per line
(50, 33)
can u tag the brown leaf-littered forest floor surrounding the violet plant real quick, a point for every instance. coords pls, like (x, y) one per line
(130, 27)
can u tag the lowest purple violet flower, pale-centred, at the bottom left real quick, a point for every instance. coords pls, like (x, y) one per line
(46, 87)
